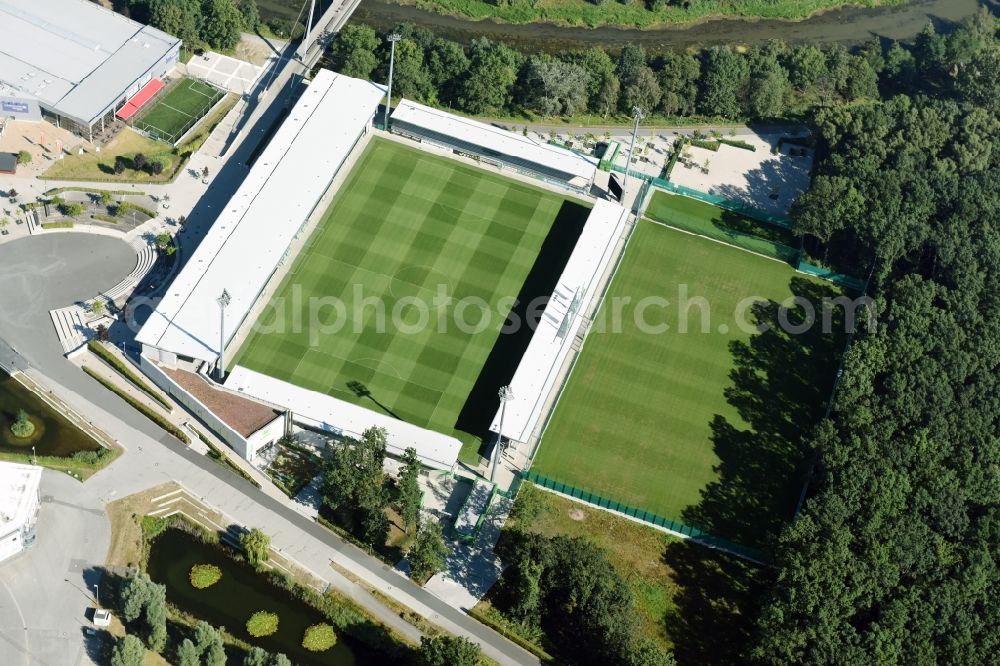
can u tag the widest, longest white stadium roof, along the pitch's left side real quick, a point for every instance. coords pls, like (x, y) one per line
(251, 236)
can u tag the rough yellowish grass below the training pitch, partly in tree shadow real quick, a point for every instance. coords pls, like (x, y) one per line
(694, 600)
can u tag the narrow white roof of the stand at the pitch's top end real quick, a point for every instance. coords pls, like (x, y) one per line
(495, 140)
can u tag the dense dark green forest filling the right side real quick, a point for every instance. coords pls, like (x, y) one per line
(894, 557)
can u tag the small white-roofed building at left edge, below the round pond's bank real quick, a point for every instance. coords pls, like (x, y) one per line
(19, 502)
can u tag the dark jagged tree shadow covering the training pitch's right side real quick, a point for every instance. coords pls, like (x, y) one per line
(780, 383)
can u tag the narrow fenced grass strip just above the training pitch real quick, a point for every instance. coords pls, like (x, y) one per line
(707, 220)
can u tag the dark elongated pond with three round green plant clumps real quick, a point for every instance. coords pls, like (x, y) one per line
(239, 594)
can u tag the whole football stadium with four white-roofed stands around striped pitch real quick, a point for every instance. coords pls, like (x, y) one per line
(359, 278)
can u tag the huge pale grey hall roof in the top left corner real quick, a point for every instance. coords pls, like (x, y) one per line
(74, 56)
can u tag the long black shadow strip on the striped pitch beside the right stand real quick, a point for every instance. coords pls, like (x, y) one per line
(498, 370)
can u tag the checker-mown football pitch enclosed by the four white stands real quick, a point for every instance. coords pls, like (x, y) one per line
(404, 225)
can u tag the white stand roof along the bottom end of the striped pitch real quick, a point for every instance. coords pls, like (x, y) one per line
(330, 414)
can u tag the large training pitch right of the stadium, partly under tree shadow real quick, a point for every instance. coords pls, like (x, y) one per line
(703, 425)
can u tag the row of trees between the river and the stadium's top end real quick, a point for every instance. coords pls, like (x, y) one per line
(490, 78)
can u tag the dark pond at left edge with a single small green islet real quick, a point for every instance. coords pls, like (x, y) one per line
(54, 435)
